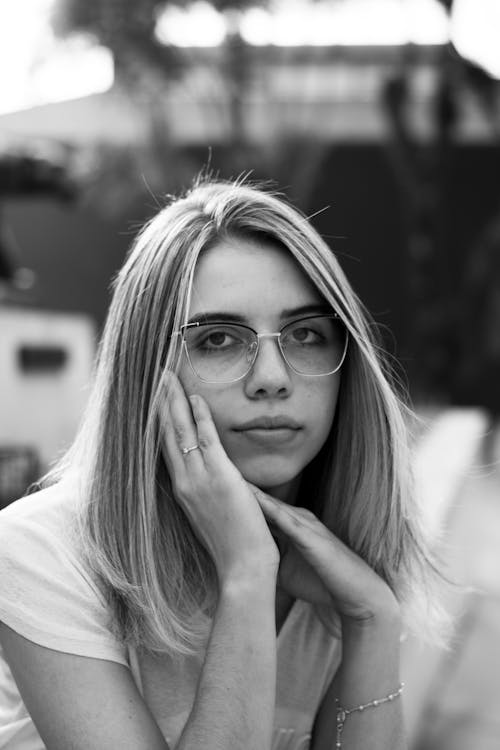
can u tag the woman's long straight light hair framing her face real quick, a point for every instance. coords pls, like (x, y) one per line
(158, 578)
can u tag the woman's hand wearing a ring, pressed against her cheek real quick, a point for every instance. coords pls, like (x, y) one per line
(216, 499)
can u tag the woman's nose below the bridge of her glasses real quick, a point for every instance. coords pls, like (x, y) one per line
(270, 376)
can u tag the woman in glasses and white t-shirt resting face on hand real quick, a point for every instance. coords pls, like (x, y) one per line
(221, 559)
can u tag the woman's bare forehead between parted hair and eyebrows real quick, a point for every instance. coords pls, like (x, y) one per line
(250, 278)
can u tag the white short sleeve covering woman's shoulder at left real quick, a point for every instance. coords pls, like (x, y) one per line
(47, 596)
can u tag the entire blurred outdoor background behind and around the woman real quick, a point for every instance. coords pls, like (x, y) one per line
(378, 118)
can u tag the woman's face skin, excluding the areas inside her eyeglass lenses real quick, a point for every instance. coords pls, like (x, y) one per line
(263, 286)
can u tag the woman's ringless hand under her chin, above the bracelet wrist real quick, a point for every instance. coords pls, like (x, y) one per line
(319, 568)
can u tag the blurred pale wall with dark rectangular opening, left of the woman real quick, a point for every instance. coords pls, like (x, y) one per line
(45, 367)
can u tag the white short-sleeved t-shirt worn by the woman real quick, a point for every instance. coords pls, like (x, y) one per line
(48, 596)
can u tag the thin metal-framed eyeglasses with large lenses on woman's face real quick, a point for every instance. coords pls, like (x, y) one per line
(225, 352)
